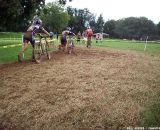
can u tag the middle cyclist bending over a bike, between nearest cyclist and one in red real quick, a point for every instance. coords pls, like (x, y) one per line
(64, 35)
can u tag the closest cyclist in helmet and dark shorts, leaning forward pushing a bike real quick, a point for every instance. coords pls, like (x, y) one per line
(29, 37)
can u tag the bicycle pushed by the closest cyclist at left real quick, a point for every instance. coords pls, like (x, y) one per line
(41, 47)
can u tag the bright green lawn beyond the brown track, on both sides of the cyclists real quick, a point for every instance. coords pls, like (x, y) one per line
(10, 54)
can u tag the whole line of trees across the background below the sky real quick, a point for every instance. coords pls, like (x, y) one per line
(16, 15)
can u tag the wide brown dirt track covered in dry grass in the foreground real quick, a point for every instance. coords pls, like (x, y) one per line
(95, 89)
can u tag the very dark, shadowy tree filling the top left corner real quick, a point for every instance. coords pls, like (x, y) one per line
(14, 14)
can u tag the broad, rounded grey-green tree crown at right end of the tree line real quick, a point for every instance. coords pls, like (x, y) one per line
(136, 28)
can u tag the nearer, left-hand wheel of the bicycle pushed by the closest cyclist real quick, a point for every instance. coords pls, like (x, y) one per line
(38, 52)
